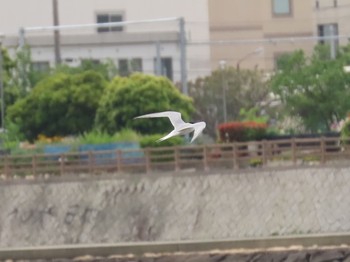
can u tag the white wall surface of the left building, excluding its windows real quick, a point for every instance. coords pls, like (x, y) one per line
(15, 14)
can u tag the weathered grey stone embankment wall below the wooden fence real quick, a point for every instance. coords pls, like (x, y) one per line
(175, 207)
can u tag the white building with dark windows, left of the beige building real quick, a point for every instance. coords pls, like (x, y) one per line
(131, 47)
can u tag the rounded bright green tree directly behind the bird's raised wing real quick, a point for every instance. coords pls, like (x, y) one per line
(128, 97)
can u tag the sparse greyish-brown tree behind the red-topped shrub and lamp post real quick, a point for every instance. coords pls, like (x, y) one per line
(244, 89)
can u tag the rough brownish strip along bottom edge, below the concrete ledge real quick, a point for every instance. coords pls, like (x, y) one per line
(339, 254)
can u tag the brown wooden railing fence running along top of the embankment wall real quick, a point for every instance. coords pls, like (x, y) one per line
(288, 152)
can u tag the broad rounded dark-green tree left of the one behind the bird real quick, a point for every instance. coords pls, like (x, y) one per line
(61, 104)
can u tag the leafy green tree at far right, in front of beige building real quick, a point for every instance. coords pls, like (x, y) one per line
(316, 88)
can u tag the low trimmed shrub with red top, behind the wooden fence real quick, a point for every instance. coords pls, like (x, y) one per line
(242, 131)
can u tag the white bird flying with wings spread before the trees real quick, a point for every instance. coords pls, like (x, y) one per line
(180, 127)
